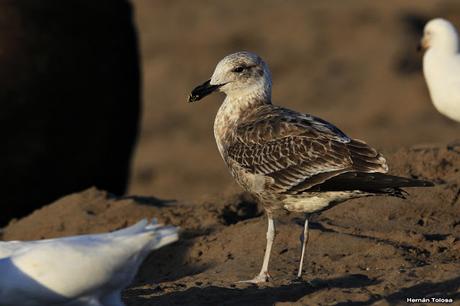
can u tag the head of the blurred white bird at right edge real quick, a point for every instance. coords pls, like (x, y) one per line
(439, 34)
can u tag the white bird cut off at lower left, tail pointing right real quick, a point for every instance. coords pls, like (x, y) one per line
(89, 270)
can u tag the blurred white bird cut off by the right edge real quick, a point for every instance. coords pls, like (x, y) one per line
(441, 66)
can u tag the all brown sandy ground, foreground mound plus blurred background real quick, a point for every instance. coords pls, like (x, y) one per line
(350, 62)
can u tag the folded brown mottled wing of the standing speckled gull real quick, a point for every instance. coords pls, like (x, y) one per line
(298, 151)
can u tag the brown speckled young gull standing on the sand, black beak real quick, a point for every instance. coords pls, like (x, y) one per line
(287, 159)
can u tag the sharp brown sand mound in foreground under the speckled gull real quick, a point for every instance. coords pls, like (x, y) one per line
(368, 250)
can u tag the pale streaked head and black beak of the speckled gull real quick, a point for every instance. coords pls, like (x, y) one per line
(241, 74)
